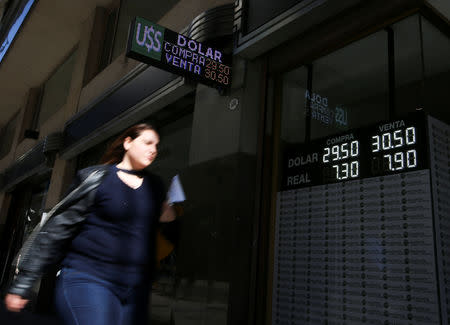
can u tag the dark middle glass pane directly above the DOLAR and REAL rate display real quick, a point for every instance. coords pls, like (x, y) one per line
(350, 87)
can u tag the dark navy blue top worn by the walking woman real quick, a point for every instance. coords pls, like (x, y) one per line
(116, 241)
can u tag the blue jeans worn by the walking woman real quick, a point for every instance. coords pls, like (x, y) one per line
(82, 299)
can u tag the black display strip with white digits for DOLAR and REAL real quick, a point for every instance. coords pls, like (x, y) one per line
(382, 149)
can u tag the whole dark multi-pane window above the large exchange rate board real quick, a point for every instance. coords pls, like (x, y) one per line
(350, 88)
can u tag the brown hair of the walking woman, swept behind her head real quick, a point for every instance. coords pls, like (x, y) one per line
(115, 152)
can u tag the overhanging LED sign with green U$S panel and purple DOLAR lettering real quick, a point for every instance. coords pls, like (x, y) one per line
(161, 47)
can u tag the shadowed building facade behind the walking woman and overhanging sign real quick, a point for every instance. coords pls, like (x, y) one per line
(316, 183)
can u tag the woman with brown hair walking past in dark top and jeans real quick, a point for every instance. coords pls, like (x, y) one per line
(103, 235)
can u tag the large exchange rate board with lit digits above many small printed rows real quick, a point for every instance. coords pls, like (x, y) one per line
(362, 233)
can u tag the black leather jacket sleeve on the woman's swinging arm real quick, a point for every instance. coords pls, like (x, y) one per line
(47, 243)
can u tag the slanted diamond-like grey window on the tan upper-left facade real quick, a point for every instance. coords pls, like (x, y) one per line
(56, 89)
